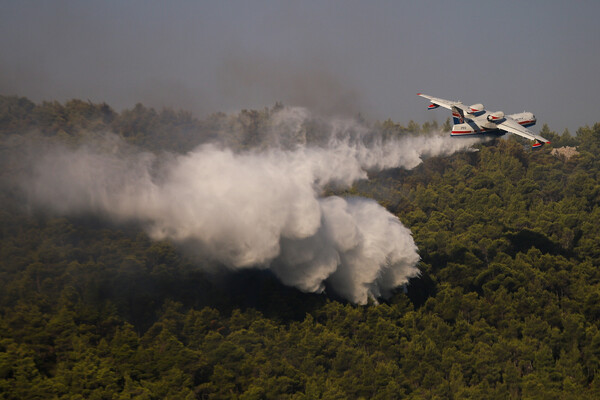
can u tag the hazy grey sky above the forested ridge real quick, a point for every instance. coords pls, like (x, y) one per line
(334, 56)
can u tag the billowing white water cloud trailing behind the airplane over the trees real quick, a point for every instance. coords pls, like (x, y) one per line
(258, 208)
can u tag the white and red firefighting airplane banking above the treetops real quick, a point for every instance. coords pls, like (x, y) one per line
(475, 120)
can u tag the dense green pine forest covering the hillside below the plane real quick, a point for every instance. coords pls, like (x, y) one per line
(507, 305)
